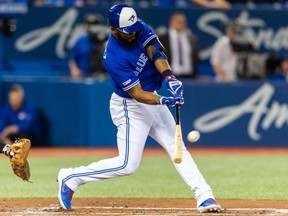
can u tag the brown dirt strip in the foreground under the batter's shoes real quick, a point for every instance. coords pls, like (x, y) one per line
(167, 207)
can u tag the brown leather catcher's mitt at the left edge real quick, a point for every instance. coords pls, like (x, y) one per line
(18, 152)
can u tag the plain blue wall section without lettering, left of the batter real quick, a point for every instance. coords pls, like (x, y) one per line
(73, 112)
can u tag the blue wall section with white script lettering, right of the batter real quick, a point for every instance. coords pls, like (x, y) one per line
(250, 114)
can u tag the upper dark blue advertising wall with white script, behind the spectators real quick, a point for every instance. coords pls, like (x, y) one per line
(50, 39)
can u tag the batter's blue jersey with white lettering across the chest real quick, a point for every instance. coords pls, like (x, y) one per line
(129, 66)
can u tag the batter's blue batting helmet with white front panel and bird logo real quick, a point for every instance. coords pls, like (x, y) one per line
(123, 18)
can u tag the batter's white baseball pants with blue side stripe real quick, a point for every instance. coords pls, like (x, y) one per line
(135, 121)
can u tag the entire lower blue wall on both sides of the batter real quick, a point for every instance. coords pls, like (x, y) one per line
(241, 114)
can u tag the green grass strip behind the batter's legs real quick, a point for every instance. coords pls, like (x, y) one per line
(257, 177)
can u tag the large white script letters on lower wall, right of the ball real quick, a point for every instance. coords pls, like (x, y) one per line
(262, 116)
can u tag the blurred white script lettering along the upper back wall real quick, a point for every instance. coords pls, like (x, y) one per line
(260, 34)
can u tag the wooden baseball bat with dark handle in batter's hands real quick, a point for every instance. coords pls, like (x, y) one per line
(178, 137)
